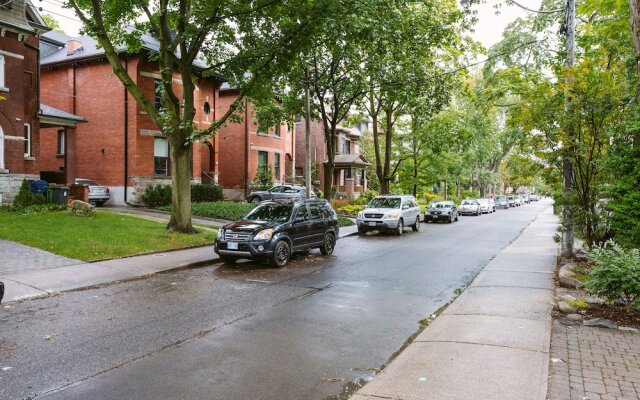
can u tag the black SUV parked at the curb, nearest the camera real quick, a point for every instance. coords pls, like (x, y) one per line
(273, 230)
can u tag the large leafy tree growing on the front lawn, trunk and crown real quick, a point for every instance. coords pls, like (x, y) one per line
(246, 42)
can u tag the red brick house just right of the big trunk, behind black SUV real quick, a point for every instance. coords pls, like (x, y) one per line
(245, 148)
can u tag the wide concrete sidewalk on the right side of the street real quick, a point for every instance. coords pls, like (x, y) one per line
(493, 341)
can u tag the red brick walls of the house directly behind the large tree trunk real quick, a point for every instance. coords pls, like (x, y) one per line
(116, 129)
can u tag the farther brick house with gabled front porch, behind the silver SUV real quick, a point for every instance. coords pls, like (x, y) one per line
(349, 176)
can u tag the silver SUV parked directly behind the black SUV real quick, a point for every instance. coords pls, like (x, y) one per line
(389, 213)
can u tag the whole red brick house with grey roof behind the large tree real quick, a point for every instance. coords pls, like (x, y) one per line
(119, 146)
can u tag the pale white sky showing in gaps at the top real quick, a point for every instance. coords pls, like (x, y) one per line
(488, 30)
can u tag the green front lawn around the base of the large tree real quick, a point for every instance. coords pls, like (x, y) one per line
(102, 235)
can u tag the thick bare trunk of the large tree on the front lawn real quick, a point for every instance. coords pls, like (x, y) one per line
(181, 179)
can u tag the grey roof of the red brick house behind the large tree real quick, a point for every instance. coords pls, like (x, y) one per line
(56, 49)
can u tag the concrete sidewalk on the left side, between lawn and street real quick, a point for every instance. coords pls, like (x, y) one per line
(52, 274)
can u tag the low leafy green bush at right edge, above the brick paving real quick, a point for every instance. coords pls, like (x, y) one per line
(615, 274)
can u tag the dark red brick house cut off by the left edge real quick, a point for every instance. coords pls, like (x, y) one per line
(22, 115)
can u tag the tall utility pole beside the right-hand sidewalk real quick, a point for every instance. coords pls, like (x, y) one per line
(567, 162)
